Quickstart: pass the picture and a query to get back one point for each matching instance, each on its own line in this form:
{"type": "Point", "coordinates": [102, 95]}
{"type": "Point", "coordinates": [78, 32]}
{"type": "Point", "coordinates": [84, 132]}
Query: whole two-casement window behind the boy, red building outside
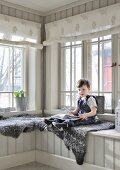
{"type": "Point", "coordinates": [99, 70]}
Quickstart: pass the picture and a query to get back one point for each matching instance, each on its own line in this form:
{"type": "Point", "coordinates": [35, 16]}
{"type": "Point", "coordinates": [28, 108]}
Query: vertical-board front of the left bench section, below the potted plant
{"type": "Point", "coordinates": [25, 142]}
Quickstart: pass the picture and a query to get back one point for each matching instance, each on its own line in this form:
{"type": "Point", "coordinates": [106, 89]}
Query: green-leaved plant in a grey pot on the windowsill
{"type": "Point", "coordinates": [21, 100]}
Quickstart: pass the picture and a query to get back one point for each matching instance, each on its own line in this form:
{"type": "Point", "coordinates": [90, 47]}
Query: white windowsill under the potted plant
{"type": "Point", "coordinates": [13, 113]}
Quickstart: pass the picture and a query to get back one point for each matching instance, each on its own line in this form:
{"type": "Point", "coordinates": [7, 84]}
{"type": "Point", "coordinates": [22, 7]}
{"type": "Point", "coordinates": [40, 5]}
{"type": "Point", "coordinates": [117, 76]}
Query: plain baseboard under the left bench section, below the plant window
{"type": "Point", "coordinates": [17, 159]}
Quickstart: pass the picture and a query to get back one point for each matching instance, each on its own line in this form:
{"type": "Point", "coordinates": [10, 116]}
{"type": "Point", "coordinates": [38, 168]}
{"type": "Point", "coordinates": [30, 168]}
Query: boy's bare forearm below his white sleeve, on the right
{"type": "Point", "coordinates": [89, 114]}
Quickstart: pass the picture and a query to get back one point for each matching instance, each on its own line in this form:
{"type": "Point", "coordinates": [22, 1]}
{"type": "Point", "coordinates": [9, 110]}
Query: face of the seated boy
{"type": "Point", "coordinates": [83, 91]}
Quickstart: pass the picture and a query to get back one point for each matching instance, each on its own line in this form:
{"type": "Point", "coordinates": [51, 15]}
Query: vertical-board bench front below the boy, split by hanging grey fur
{"type": "Point", "coordinates": [102, 151]}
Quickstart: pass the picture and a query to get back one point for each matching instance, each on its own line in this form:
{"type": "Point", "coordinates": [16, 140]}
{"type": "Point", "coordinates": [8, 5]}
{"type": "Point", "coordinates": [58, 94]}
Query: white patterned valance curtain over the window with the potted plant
{"type": "Point", "coordinates": [20, 32]}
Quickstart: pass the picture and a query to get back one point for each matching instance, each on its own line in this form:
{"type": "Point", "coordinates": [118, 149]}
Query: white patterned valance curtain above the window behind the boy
{"type": "Point", "coordinates": [84, 26]}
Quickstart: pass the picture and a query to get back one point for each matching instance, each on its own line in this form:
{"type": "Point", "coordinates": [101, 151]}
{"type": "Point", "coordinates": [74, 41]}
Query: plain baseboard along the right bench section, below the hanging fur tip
{"type": "Point", "coordinates": [63, 163]}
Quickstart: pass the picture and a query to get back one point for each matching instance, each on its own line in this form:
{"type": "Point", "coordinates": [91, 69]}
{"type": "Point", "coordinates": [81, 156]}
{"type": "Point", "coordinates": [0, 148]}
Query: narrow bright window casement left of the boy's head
{"type": "Point", "coordinates": [71, 71]}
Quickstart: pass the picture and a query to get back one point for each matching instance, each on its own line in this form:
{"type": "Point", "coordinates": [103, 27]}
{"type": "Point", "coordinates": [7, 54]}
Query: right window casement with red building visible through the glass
{"type": "Point", "coordinates": [100, 70]}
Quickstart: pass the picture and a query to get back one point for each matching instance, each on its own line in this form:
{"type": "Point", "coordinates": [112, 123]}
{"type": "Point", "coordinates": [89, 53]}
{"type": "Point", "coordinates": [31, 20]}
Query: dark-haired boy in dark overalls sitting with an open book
{"type": "Point", "coordinates": [85, 111]}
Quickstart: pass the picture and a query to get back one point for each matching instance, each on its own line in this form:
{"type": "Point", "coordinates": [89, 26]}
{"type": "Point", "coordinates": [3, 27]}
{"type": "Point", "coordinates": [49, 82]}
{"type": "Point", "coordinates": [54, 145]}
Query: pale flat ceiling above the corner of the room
{"type": "Point", "coordinates": [42, 5]}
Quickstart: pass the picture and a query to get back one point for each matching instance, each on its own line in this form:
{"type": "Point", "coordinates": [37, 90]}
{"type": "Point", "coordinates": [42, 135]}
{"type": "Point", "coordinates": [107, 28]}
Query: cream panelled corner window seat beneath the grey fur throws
{"type": "Point", "coordinates": [45, 147]}
